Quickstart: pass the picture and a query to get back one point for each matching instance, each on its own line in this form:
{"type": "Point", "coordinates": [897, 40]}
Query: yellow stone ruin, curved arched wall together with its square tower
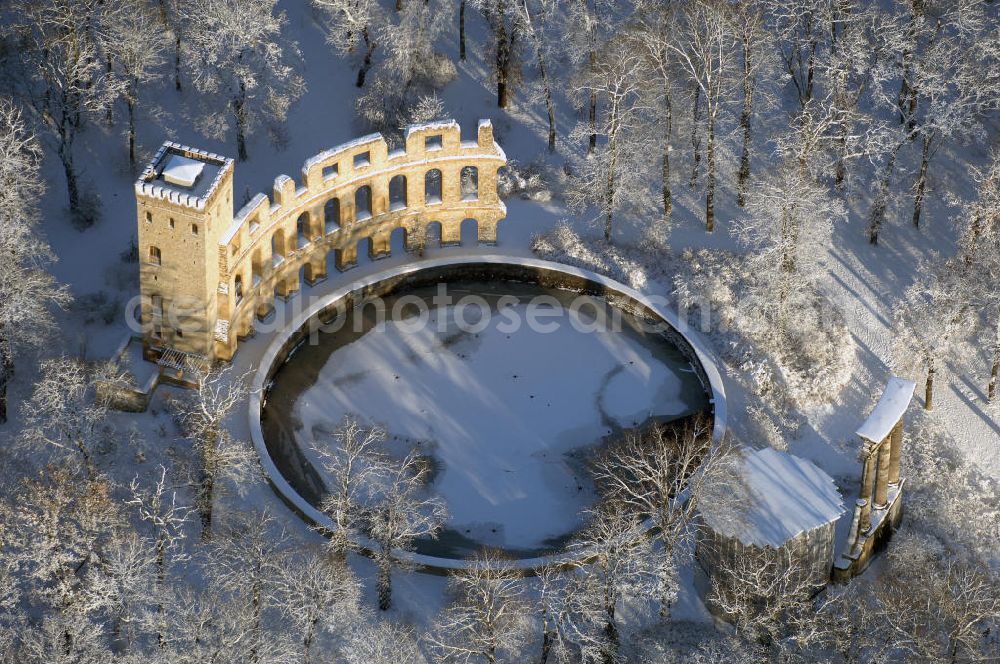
{"type": "Point", "coordinates": [205, 272]}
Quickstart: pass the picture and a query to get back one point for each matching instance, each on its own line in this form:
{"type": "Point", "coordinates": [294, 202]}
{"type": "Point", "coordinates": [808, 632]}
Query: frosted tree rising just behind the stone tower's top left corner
{"type": "Point", "coordinates": [136, 42]}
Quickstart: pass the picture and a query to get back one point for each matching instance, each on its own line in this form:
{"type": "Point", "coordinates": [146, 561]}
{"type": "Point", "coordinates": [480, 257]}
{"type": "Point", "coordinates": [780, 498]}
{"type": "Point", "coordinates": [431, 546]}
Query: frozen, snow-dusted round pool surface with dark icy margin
{"type": "Point", "coordinates": [506, 389]}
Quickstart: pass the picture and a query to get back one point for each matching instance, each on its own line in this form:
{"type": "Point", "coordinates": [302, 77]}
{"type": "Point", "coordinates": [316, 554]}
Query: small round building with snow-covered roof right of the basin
{"type": "Point", "coordinates": [780, 503]}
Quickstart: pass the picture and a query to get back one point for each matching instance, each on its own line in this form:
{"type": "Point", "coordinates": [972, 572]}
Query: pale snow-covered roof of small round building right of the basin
{"type": "Point", "coordinates": [779, 496]}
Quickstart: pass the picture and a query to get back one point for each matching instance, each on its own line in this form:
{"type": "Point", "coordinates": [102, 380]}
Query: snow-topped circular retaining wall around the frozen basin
{"type": "Point", "coordinates": [501, 268]}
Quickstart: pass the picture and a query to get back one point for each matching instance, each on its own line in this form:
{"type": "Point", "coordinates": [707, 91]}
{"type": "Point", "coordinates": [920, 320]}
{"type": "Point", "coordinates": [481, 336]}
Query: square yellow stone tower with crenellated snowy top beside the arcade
{"type": "Point", "coordinates": [184, 202]}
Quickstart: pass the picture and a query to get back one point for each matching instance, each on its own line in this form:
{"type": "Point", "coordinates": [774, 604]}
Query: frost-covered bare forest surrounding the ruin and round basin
{"type": "Point", "coordinates": [126, 545]}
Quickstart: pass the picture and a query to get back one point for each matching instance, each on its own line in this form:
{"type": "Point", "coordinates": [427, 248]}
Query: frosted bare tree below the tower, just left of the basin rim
{"type": "Point", "coordinates": [220, 456]}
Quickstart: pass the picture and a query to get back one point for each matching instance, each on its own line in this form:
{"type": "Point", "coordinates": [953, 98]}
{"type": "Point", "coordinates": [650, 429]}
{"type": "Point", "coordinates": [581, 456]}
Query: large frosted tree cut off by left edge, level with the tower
{"type": "Point", "coordinates": [27, 291]}
